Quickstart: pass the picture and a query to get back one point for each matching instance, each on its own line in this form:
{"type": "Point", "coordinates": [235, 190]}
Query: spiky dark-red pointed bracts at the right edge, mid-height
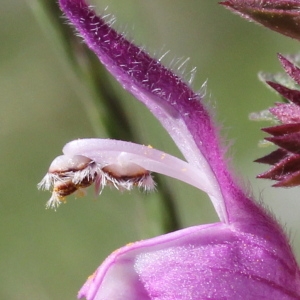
{"type": "Point", "coordinates": [285, 161]}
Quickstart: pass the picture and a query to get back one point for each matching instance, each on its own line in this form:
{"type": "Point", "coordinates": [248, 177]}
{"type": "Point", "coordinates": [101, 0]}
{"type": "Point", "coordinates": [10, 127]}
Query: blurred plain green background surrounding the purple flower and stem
{"type": "Point", "coordinates": [44, 104]}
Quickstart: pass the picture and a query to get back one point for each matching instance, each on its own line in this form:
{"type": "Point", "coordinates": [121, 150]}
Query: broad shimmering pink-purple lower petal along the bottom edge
{"type": "Point", "coordinates": [201, 262]}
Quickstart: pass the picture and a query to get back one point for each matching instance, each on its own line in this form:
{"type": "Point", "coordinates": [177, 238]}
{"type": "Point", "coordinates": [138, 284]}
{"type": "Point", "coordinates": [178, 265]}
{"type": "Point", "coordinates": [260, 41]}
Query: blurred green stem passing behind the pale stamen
{"type": "Point", "coordinates": [103, 105]}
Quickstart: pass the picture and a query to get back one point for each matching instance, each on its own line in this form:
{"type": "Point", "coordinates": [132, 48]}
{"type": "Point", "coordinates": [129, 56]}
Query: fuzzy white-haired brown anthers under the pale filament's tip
{"type": "Point", "coordinates": [69, 174]}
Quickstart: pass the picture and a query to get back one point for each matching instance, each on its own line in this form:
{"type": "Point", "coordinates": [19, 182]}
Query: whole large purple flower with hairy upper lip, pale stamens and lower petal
{"type": "Point", "coordinates": [245, 256]}
